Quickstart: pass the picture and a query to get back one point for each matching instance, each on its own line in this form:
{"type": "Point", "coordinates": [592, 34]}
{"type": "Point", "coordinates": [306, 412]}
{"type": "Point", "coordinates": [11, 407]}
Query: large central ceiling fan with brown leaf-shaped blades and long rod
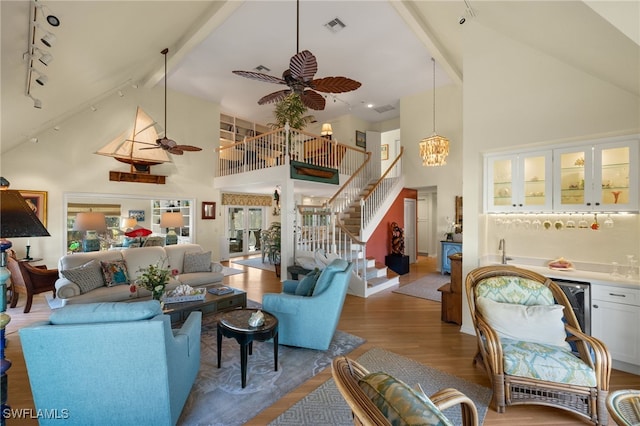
{"type": "Point", "coordinates": [299, 78]}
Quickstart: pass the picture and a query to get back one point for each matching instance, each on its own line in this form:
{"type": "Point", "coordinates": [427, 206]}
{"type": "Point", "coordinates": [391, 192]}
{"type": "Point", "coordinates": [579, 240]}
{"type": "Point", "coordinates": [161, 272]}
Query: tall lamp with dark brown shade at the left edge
{"type": "Point", "coordinates": [17, 219]}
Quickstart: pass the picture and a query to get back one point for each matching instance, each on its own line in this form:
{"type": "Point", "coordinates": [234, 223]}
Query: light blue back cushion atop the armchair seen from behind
{"type": "Point", "coordinates": [86, 313]}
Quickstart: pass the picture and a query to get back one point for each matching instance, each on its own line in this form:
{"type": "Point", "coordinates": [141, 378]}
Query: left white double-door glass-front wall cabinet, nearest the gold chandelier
{"type": "Point", "coordinates": [519, 182]}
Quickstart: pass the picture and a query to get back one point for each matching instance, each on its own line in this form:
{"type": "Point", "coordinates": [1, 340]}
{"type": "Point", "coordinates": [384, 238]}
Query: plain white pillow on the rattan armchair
{"type": "Point", "coordinates": [537, 323]}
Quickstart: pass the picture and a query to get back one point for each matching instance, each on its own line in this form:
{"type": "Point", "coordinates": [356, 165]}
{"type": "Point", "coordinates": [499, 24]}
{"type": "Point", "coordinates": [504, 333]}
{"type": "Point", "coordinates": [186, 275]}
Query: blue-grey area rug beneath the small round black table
{"type": "Point", "coordinates": [217, 397]}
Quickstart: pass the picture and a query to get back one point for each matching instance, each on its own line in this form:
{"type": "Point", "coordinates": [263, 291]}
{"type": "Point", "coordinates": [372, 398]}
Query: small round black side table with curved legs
{"type": "Point", "coordinates": [235, 324]}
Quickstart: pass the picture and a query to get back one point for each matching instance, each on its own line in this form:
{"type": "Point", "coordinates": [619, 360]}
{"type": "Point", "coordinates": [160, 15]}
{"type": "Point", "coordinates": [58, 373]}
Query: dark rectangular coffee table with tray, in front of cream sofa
{"type": "Point", "coordinates": [179, 311]}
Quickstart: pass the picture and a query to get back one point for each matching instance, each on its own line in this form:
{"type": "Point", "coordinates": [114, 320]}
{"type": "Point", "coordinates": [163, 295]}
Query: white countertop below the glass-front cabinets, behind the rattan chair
{"type": "Point", "coordinates": [580, 273]}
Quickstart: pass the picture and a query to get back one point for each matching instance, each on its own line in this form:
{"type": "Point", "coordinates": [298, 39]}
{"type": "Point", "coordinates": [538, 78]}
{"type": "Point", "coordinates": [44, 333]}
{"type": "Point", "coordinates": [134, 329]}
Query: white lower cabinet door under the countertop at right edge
{"type": "Point", "coordinates": [616, 325]}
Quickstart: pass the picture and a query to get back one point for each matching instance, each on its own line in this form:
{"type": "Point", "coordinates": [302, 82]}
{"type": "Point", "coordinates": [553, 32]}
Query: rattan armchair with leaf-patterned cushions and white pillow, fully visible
{"type": "Point", "coordinates": [509, 362]}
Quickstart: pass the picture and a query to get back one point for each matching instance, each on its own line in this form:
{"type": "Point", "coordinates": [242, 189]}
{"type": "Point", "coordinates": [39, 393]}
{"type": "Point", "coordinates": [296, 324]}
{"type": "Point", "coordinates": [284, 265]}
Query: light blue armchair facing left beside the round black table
{"type": "Point", "coordinates": [311, 321]}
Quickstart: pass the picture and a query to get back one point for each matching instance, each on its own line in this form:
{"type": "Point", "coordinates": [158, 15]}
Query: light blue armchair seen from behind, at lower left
{"type": "Point", "coordinates": [111, 363]}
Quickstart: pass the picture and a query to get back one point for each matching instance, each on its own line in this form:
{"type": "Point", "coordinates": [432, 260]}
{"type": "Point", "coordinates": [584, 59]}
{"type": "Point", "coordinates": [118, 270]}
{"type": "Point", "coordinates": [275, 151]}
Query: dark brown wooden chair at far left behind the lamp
{"type": "Point", "coordinates": [29, 280]}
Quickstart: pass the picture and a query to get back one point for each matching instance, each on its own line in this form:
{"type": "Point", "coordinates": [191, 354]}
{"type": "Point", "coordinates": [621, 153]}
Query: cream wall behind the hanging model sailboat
{"type": "Point", "coordinates": [64, 161]}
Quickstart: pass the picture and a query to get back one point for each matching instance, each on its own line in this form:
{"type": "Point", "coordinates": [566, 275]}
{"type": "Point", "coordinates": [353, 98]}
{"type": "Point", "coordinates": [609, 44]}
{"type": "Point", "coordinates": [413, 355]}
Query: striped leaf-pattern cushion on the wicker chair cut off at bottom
{"type": "Point", "coordinates": [399, 403]}
